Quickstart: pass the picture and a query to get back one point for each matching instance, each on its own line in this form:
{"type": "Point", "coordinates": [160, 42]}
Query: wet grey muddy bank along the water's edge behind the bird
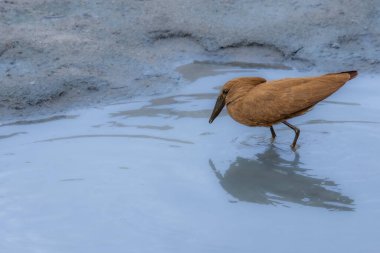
{"type": "Point", "coordinates": [60, 55]}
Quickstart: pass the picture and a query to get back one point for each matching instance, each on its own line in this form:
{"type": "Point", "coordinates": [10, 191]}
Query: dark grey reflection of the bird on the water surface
{"type": "Point", "coordinates": [270, 179]}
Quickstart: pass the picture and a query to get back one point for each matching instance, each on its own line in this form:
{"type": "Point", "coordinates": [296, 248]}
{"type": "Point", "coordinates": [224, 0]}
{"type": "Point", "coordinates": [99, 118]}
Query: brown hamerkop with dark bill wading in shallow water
{"type": "Point", "coordinates": [254, 101]}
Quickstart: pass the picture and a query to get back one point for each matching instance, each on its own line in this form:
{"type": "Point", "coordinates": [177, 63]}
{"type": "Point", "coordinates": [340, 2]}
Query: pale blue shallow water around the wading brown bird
{"type": "Point", "coordinates": [152, 175]}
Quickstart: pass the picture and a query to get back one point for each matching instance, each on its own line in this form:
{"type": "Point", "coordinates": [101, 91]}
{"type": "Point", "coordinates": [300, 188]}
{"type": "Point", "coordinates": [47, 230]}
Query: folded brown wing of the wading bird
{"type": "Point", "coordinates": [281, 99]}
